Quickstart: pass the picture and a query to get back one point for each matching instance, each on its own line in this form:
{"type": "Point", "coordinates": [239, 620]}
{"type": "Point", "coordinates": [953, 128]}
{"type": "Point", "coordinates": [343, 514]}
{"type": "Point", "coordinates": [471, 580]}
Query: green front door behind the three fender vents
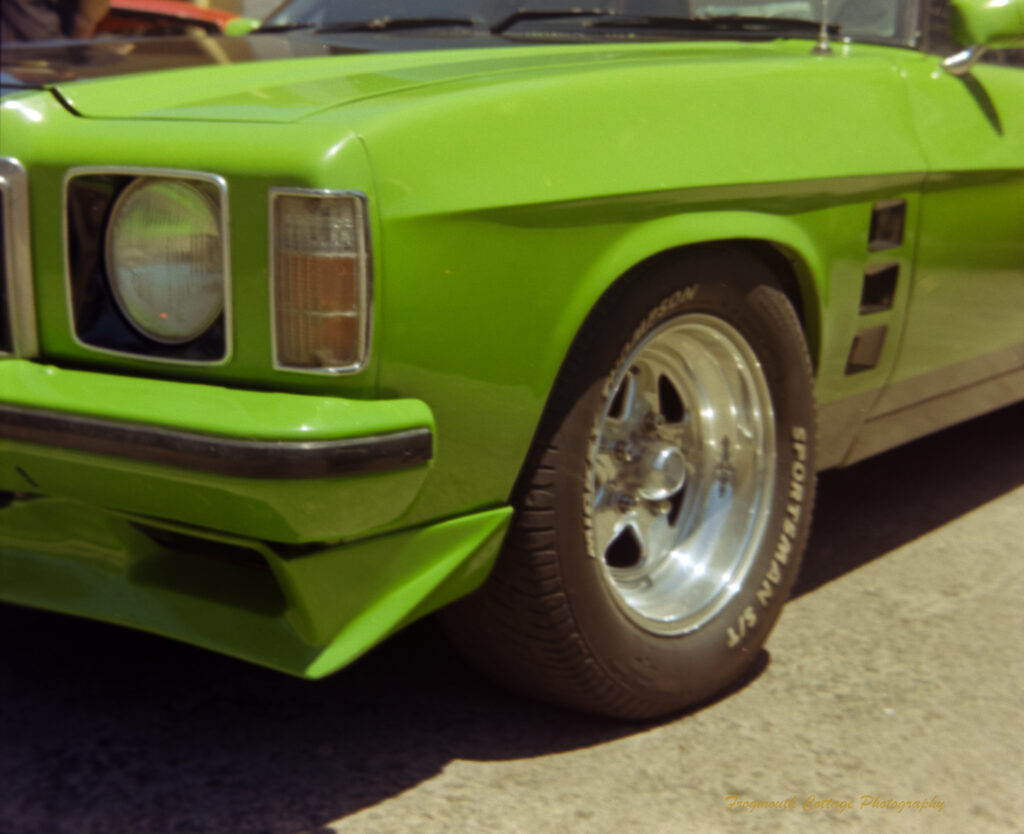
{"type": "Point", "coordinates": [968, 288]}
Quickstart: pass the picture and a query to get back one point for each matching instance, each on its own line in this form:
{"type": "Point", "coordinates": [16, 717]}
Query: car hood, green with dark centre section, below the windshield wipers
{"type": "Point", "coordinates": [276, 80]}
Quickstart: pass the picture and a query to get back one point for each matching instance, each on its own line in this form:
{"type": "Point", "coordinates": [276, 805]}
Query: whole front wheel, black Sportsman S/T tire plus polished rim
{"type": "Point", "coordinates": [662, 516]}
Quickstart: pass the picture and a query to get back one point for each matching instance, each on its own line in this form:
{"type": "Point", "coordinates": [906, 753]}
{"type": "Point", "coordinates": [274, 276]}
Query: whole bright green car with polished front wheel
{"type": "Point", "coordinates": [552, 312]}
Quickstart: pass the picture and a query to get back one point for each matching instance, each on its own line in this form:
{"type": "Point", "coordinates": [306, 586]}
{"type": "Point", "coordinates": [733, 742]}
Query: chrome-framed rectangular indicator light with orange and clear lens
{"type": "Point", "coordinates": [320, 253]}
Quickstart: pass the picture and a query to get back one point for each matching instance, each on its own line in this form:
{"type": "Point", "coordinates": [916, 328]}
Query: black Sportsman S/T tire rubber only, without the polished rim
{"type": "Point", "coordinates": [549, 620]}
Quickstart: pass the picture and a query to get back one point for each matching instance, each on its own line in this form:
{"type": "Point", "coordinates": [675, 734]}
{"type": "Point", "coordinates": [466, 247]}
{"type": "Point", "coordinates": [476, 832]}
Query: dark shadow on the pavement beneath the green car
{"type": "Point", "coordinates": [103, 730]}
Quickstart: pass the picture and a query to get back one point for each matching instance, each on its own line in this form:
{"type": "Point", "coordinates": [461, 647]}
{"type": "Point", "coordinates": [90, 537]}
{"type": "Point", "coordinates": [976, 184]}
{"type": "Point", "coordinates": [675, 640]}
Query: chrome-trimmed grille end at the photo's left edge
{"type": "Point", "coordinates": [16, 271]}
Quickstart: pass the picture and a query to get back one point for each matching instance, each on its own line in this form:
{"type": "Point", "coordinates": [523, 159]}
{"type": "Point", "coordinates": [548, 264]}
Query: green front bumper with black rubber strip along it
{"type": "Point", "coordinates": [279, 468]}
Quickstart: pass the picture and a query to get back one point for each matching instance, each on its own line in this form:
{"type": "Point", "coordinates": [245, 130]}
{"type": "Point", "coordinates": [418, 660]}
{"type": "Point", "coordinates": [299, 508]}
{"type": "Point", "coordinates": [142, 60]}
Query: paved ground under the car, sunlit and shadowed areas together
{"type": "Point", "coordinates": [895, 677]}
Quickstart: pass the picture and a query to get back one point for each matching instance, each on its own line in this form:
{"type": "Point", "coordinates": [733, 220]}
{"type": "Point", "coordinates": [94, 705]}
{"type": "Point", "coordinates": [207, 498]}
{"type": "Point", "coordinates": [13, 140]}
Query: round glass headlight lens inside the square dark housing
{"type": "Point", "coordinates": [164, 259]}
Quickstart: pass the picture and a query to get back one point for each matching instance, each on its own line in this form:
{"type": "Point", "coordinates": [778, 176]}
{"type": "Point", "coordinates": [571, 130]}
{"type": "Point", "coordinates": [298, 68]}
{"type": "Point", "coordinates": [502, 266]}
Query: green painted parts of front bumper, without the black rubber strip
{"type": "Point", "coordinates": [280, 511]}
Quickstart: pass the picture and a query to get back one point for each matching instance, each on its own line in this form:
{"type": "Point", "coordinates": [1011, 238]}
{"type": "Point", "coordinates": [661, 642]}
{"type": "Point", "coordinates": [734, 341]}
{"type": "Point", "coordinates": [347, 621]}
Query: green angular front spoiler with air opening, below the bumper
{"type": "Point", "coordinates": [307, 616]}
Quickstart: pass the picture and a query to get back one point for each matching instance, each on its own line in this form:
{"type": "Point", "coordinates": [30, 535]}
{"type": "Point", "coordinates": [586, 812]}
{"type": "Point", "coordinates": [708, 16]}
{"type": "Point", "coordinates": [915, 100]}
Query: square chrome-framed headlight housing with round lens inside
{"type": "Point", "coordinates": [149, 264]}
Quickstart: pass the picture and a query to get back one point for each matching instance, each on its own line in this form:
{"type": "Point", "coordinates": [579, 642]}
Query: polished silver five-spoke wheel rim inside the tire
{"type": "Point", "coordinates": [682, 474]}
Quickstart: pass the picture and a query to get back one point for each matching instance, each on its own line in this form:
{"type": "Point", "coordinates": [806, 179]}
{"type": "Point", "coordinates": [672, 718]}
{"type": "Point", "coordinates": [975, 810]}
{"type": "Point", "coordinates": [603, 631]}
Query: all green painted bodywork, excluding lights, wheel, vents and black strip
{"type": "Point", "coordinates": [508, 190]}
